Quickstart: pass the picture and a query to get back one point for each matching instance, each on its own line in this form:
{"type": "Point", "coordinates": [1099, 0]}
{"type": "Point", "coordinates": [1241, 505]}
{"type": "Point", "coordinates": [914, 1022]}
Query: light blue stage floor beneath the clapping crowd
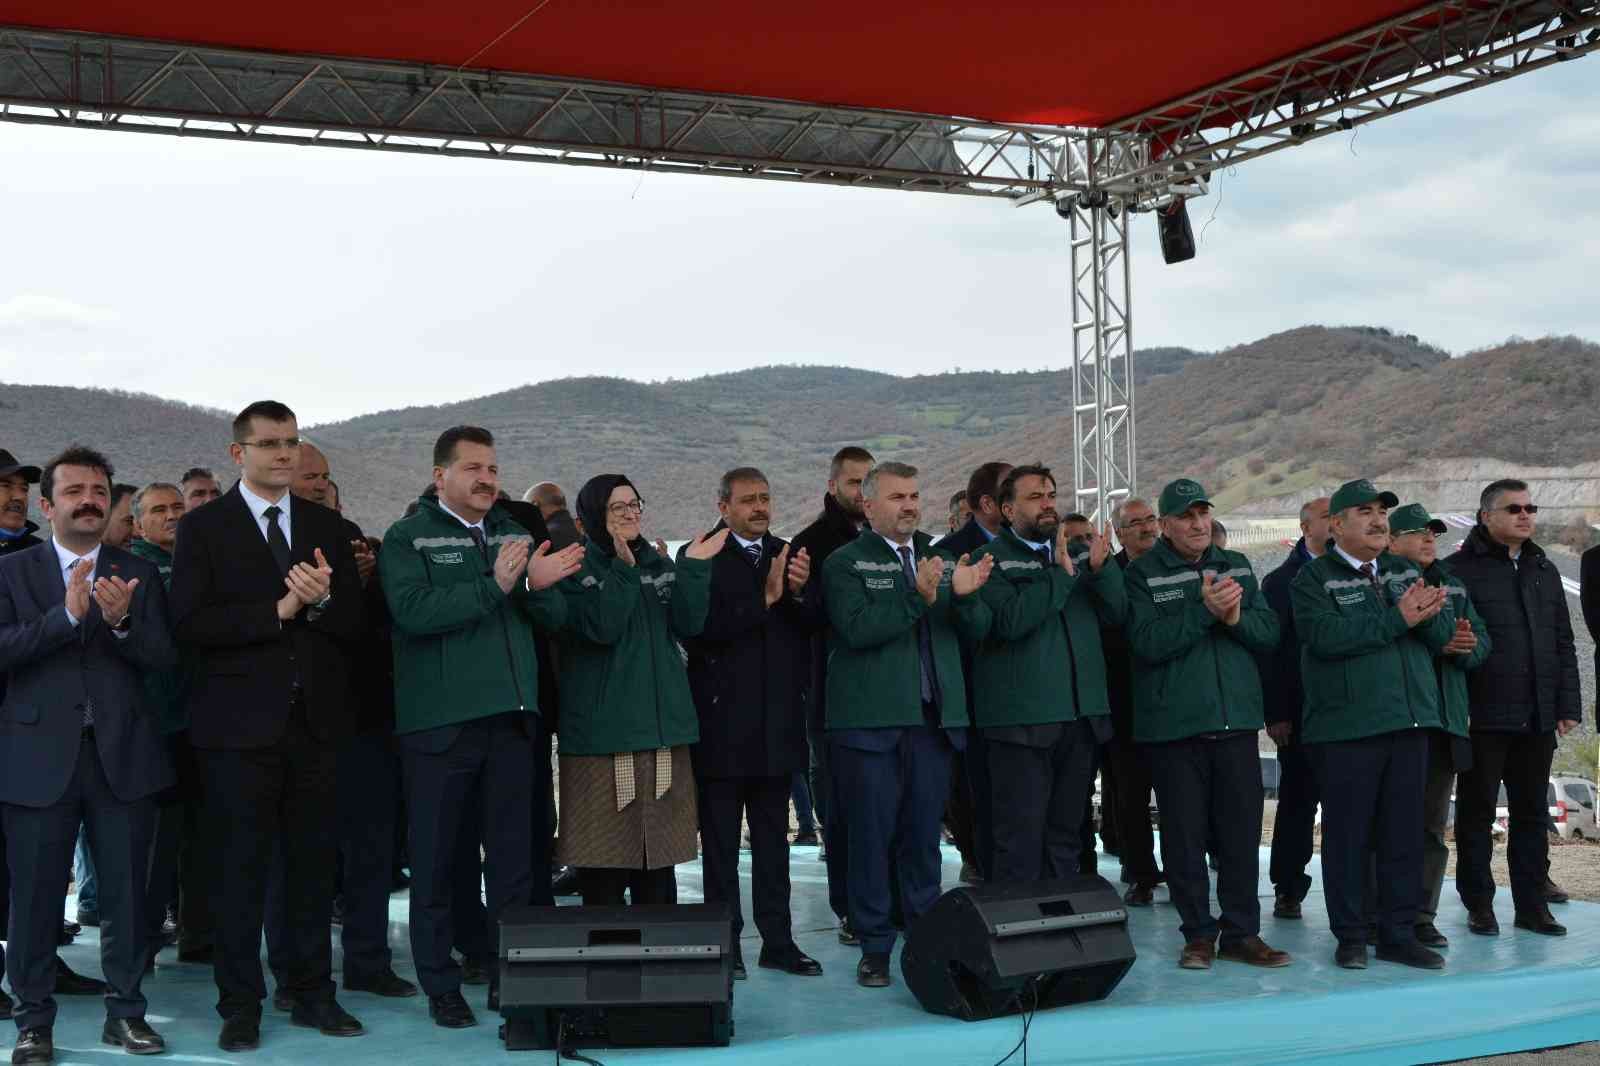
{"type": "Point", "coordinates": [1514, 993]}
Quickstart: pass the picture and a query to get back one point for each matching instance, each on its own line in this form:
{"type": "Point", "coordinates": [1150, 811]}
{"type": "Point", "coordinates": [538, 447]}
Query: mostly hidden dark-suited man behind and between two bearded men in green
{"type": "Point", "coordinates": [970, 809]}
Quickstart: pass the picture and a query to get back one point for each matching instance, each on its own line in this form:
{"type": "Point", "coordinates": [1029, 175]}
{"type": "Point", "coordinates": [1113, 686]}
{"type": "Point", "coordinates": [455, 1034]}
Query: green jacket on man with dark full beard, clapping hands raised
{"type": "Point", "coordinates": [1039, 657]}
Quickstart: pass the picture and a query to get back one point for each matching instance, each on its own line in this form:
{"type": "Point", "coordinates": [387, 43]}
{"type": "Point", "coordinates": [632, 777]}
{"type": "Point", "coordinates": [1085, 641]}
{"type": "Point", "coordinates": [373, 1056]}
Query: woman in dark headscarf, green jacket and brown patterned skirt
{"type": "Point", "coordinates": [626, 787]}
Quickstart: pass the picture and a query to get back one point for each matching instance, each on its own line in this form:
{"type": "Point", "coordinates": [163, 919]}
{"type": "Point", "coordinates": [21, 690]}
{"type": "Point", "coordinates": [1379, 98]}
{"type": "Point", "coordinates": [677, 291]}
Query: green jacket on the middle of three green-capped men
{"type": "Point", "coordinates": [1366, 671]}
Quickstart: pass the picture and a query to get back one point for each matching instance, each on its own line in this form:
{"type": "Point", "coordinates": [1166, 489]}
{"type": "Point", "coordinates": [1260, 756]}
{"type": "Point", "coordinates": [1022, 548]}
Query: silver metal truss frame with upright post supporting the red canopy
{"type": "Point", "coordinates": [1095, 177]}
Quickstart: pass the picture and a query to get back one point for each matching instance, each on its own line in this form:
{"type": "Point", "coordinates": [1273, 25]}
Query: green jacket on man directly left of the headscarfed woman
{"type": "Point", "coordinates": [463, 649]}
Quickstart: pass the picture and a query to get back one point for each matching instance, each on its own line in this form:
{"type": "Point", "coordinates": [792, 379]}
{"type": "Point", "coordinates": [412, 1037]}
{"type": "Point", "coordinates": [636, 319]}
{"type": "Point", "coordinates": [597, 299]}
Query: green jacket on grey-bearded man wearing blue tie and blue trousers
{"type": "Point", "coordinates": [874, 665]}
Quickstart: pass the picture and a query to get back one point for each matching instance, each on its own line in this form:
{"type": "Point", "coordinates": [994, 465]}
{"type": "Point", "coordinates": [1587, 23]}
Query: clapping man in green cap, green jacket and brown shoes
{"type": "Point", "coordinates": [1198, 620]}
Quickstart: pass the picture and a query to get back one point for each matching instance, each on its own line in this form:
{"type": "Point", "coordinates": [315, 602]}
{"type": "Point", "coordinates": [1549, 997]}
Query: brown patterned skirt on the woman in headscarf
{"type": "Point", "coordinates": [647, 835]}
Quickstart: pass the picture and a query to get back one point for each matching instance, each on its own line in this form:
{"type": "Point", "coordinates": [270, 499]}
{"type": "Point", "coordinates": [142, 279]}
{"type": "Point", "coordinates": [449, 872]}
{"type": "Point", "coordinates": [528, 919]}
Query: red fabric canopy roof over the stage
{"type": "Point", "coordinates": [1030, 62]}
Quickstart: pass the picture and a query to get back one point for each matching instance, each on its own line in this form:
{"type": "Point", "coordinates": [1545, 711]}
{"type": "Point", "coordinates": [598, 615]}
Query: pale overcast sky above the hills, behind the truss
{"type": "Point", "coordinates": [346, 283]}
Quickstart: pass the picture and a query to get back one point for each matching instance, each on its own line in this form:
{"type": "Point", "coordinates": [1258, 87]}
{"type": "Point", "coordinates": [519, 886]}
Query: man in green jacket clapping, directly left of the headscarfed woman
{"type": "Point", "coordinates": [466, 588]}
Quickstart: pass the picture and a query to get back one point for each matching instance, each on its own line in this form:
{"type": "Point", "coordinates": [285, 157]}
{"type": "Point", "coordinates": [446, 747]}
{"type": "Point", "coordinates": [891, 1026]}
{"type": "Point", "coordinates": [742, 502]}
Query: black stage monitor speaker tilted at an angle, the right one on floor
{"type": "Point", "coordinates": [996, 950]}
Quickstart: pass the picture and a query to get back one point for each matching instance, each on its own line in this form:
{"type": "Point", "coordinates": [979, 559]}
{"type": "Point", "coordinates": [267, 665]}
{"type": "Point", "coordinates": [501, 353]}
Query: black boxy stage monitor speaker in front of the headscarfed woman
{"type": "Point", "coordinates": [617, 977]}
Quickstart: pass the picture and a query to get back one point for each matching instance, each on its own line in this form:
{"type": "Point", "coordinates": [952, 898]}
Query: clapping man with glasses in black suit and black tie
{"type": "Point", "coordinates": [268, 601]}
